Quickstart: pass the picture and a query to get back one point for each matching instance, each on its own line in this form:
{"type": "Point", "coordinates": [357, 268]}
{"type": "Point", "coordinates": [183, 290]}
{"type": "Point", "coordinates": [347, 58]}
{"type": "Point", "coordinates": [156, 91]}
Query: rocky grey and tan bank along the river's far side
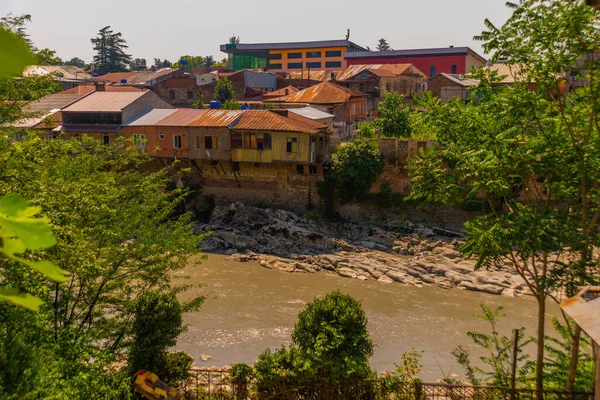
{"type": "Point", "coordinates": [386, 251]}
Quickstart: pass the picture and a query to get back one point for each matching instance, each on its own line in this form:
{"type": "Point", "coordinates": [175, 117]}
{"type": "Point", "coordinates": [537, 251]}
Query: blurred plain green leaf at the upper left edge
{"type": "Point", "coordinates": [14, 54]}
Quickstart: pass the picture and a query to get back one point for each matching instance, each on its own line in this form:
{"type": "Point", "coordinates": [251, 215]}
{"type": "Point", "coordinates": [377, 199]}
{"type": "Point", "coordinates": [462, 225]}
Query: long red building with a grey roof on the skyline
{"type": "Point", "coordinates": [450, 60]}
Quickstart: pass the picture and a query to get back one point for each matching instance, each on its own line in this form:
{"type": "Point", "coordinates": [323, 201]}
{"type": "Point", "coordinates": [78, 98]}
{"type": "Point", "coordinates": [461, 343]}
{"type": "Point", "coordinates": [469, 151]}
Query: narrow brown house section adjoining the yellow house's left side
{"type": "Point", "coordinates": [210, 136]}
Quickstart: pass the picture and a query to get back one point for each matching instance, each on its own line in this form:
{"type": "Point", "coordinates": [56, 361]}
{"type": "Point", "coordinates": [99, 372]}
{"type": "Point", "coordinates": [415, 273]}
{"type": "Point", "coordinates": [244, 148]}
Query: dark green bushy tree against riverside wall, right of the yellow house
{"type": "Point", "coordinates": [354, 168]}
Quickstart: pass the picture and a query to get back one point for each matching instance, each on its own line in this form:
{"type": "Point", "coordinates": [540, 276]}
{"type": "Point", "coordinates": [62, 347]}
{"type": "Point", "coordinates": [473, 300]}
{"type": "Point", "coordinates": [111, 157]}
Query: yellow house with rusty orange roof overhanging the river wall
{"type": "Point", "coordinates": [278, 136]}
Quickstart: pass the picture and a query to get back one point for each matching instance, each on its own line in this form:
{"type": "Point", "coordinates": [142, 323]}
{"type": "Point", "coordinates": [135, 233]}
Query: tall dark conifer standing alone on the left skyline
{"type": "Point", "coordinates": [110, 50]}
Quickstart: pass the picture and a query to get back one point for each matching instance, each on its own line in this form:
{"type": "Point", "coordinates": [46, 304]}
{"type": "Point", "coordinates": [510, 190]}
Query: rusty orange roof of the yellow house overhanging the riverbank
{"type": "Point", "coordinates": [279, 120]}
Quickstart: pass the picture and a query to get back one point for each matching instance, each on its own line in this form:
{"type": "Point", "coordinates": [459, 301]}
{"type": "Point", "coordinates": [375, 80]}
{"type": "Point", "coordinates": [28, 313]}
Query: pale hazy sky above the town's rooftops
{"type": "Point", "coordinates": [169, 29]}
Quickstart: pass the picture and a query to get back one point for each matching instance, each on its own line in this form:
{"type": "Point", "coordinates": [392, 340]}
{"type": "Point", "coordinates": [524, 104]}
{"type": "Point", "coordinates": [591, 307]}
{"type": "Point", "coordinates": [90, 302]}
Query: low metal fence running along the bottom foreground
{"type": "Point", "coordinates": [209, 384]}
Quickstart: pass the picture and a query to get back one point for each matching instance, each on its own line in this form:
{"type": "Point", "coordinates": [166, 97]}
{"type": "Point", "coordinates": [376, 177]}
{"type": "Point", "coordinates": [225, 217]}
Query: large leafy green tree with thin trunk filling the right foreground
{"type": "Point", "coordinates": [527, 151]}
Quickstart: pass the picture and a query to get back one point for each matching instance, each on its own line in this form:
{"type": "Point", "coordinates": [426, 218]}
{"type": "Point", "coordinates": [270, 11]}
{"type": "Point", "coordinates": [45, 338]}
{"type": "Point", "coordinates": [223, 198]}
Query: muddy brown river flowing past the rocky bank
{"type": "Point", "coordinates": [249, 308]}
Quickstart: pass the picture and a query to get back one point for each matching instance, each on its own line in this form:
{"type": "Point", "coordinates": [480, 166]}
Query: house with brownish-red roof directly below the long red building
{"type": "Point", "coordinates": [376, 79]}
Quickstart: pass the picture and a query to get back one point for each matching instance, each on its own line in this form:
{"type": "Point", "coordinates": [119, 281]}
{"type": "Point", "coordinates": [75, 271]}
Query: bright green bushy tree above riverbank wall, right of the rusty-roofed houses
{"type": "Point", "coordinates": [393, 116]}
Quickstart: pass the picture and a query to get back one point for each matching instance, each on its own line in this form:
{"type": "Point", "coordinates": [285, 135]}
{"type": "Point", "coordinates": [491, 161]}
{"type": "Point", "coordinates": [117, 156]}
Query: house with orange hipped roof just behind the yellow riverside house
{"type": "Point", "coordinates": [348, 106]}
